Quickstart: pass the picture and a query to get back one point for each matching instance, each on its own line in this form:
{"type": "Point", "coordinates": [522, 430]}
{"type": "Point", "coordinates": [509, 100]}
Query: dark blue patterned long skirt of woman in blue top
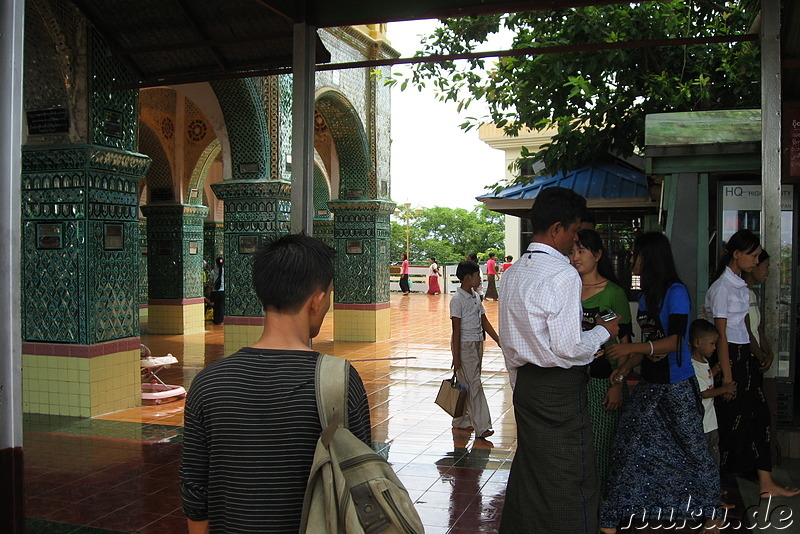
{"type": "Point", "coordinates": [661, 463]}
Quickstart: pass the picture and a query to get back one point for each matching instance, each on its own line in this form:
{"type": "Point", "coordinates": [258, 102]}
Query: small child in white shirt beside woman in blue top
{"type": "Point", "coordinates": [703, 338]}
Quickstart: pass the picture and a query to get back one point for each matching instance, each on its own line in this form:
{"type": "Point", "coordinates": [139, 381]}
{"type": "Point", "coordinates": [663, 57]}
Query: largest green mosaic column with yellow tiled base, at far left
{"type": "Point", "coordinates": [80, 279]}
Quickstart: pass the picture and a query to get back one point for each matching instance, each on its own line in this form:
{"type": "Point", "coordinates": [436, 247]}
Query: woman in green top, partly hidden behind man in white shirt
{"type": "Point", "coordinates": [601, 292]}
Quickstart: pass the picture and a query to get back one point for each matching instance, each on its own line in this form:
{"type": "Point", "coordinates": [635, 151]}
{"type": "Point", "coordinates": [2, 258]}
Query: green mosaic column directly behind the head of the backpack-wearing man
{"type": "Point", "coordinates": [256, 211]}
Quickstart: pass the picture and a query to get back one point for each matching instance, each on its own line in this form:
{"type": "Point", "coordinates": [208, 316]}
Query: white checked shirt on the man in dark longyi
{"type": "Point", "coordinates": [541, 313]}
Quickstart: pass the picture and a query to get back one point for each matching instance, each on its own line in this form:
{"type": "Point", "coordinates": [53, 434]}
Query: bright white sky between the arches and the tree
{"type": "Point", "coordinates": [433, 161]}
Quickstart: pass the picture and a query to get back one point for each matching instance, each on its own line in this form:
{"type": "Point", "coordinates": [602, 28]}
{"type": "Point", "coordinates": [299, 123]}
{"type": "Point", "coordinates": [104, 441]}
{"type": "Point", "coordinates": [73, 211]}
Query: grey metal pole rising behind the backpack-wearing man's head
{"type": "Point", "coordinates": [303, 128]}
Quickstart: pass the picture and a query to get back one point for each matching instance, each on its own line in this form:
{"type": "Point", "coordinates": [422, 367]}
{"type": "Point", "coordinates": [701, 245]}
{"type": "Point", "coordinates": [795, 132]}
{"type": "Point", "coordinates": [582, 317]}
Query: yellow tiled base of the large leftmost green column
{"type": "Point", "coordinates": [81, 387]}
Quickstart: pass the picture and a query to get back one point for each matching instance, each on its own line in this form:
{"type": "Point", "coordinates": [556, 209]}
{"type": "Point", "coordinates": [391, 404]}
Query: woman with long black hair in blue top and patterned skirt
{"type": "Point", "coordinates": [661, 466]}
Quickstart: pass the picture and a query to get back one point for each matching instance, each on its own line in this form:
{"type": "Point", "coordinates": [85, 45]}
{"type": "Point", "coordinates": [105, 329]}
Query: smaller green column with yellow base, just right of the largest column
{"type": "Point", "coordinates": [175, 268]}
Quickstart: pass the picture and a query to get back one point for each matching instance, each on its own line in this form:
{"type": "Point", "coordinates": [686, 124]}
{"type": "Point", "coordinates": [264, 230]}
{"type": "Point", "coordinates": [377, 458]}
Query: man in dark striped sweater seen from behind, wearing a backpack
{"type": "Point", "coordinates": [251, 421]}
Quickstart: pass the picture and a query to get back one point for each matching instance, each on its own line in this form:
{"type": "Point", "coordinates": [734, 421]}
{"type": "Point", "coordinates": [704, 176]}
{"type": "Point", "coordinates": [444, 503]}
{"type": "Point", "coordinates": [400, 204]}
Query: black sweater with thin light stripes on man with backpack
{"type": "Point", "coordinates": [251, 426]}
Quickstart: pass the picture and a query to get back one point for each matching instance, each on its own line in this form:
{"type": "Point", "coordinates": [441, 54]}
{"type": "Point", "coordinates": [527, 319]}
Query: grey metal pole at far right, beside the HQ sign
{"type": "Point", "coordinates": [771, 159]}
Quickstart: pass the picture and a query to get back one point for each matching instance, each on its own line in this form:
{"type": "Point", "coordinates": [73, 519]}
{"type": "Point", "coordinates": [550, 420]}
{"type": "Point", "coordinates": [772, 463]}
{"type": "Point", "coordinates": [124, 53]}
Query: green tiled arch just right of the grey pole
{"type": "Point", "coordinates": [357, 178]}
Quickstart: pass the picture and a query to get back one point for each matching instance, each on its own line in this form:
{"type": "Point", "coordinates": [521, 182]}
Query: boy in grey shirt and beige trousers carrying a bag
{"type": "Point", "coordinates": [469, 324]}
